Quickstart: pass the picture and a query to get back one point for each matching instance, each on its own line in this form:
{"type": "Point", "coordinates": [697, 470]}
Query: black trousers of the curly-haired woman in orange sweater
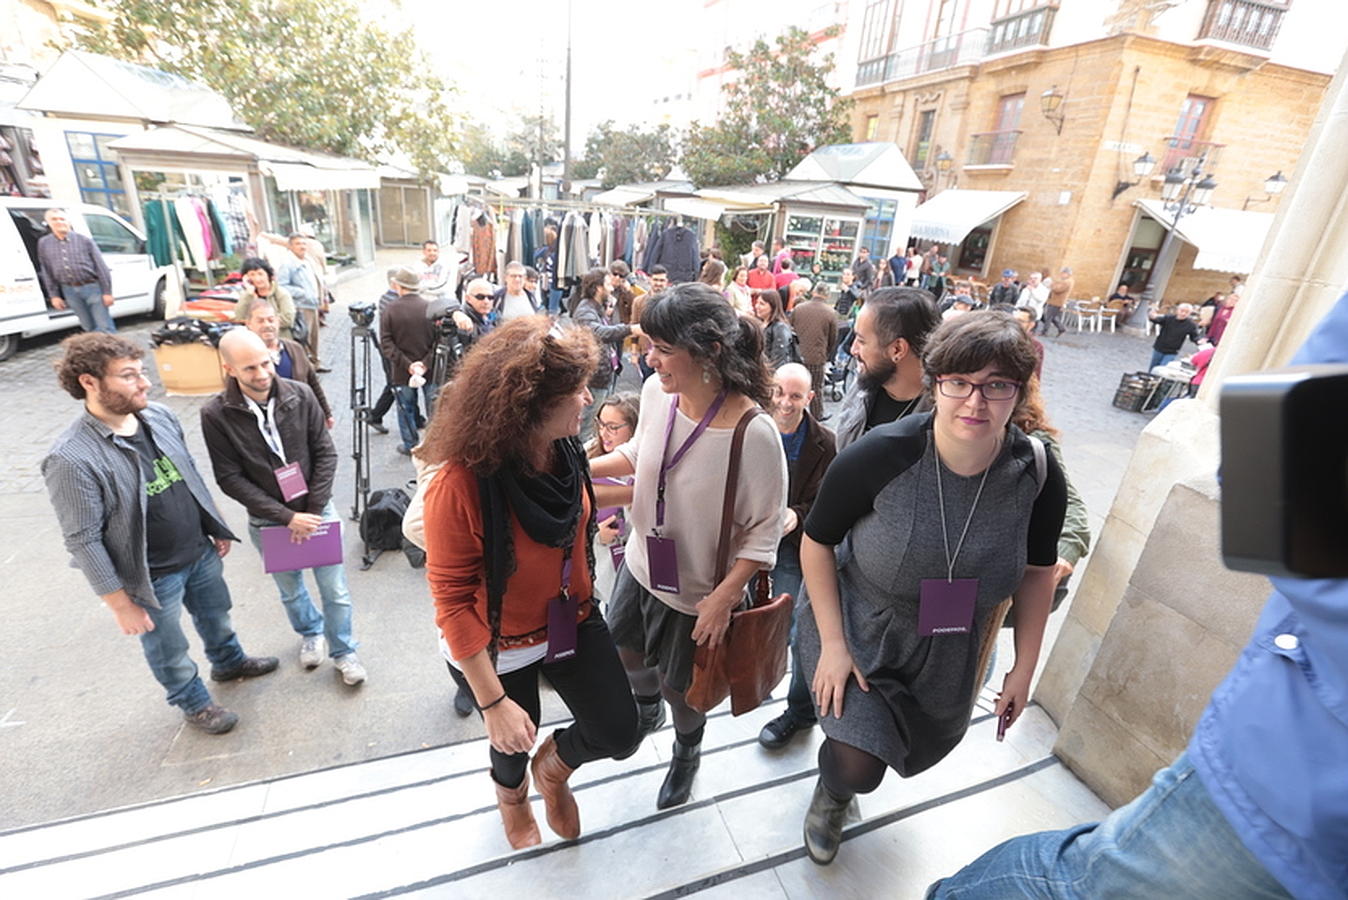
{"type": "Point", "coordinates": [595, 690]}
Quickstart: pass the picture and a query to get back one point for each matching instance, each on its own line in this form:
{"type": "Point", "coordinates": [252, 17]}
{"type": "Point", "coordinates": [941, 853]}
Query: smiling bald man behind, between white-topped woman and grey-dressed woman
{"type": "Point", "coordinates": [809, 449]}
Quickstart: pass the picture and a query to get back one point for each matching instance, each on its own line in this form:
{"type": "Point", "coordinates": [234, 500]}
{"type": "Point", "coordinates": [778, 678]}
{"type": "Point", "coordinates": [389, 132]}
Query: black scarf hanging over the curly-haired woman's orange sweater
{"type": "Point", "coordinates": [548, 506]}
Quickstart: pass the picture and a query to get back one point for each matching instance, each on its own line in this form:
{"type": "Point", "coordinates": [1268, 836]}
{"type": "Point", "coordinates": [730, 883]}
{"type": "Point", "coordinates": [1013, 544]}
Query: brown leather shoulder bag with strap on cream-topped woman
{"type": "Point", "coordinates": [752, 658]}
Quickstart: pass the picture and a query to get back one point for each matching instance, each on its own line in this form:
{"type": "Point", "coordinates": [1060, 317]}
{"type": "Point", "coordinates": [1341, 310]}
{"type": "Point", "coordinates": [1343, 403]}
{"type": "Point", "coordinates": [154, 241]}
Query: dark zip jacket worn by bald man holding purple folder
{"type": "Point", "coordinates": [245, 464]}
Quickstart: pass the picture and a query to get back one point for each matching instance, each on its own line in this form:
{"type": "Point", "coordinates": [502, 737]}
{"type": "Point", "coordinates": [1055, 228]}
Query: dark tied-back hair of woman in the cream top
{"type": "Point", "coordinates": [698, 319]}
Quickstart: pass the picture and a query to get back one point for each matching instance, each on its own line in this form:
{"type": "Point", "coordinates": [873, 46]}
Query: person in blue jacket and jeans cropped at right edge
{"type": "Point", "coordinates": [1258, 804]}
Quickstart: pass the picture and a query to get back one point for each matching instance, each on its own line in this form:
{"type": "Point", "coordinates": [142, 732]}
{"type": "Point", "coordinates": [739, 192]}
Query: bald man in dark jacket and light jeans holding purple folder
{"type": "Point", "coordinates": [270, 451]}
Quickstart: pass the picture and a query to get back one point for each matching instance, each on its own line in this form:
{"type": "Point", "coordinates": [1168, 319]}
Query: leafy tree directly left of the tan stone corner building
{"type": "Point", "coordinates": [778, 108]}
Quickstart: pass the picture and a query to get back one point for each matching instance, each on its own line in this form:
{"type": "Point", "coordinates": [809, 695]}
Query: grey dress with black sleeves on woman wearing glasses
{"type": "Point", "coordinates": [878, 506]}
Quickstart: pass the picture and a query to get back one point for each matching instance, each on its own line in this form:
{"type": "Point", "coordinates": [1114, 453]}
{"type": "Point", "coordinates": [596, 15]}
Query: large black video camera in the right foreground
{"type": "Point", "coordinates": [1285, 472]}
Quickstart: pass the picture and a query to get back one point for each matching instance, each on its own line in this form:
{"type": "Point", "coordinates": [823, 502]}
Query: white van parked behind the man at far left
{"type": "Point", "coordinates": [138, 285]}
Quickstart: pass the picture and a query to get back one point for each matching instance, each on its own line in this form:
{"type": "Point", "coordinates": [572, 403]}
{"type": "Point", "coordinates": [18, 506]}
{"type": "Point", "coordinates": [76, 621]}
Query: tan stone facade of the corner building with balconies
{"type": "Point", "coordinates": [1121, 91]}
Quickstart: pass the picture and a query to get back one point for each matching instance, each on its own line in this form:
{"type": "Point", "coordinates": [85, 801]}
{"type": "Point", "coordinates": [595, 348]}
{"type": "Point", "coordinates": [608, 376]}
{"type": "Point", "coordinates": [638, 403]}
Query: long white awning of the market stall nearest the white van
{"type": "Point", "coordinates": [293, 169]}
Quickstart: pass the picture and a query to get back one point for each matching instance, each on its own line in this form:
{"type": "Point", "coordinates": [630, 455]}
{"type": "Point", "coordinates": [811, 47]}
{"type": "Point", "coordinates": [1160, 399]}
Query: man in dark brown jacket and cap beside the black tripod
{"type": "Point", "coordinates": [408, 340]}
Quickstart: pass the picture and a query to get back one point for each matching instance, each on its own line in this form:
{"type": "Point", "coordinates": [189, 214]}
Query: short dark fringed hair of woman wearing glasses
{"type": "Point", "coordinates": [977, 340]}
